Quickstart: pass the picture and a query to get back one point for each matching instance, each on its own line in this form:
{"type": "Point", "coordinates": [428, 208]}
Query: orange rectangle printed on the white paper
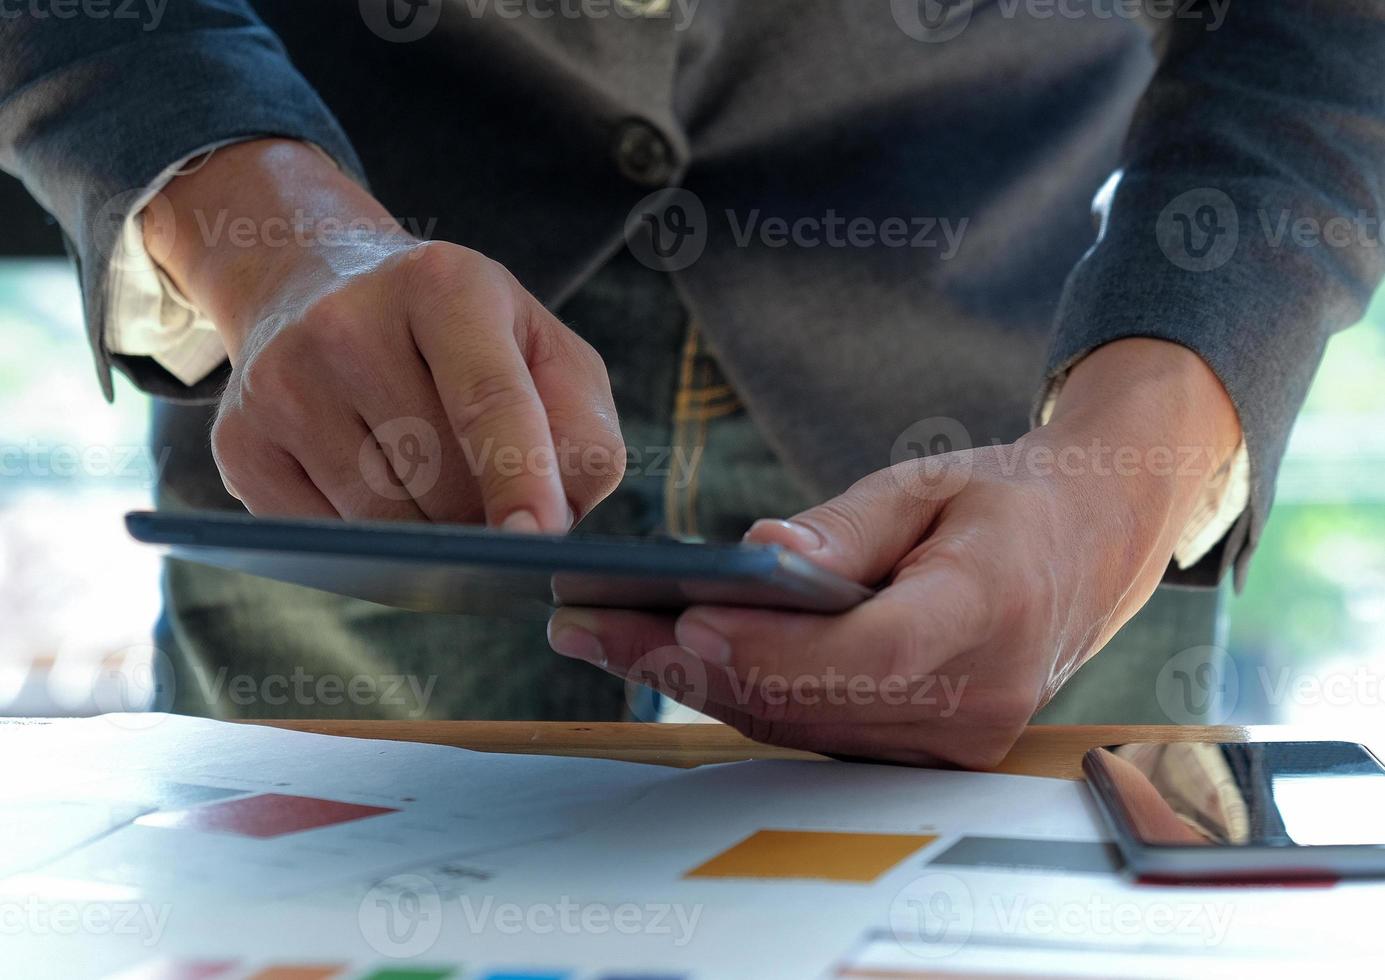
{"type": "Point", "coordinates": [823, 855]}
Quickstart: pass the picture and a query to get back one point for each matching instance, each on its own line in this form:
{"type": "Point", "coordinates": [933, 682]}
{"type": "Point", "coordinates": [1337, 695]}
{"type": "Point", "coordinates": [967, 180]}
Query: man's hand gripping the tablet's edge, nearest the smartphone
{"type": "Point", "coordinates": [1003, 570]}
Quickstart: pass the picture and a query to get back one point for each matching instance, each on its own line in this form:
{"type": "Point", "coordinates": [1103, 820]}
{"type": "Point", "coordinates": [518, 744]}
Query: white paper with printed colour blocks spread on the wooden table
{"type": "Point", "coordinates": [580, 869]}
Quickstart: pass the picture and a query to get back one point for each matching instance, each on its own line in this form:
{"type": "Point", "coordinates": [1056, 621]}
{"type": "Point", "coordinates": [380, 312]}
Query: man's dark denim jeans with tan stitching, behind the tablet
{"type": "Point", "coordinates": [242, 647]}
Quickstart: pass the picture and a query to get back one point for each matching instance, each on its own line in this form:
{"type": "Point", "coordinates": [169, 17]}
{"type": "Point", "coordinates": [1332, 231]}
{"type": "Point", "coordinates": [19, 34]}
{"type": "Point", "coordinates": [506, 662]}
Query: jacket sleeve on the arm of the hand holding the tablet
{"type": "Point", "coordinates": [1246, 221]}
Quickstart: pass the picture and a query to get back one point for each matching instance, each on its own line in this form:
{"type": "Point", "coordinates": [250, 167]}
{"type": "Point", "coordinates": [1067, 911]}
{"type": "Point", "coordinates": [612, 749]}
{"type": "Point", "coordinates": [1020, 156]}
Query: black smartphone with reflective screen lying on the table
{"type": "Point", "coordinates": [1243, 812]}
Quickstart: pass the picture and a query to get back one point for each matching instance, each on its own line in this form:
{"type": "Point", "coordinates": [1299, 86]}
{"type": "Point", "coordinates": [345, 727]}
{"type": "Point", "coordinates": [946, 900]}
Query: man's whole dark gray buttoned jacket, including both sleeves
{"type": "Point", "coordinates": [533, 139]}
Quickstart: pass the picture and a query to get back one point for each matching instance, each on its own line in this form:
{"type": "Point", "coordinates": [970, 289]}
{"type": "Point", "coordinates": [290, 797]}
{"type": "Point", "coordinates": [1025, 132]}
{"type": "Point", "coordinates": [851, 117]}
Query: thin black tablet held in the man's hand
{"type": "Point", "coordinates": [456, 570]}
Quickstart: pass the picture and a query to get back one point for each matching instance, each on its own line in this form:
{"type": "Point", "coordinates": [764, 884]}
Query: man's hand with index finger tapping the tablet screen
{"type": "Point", "coordinates": [379, 377]}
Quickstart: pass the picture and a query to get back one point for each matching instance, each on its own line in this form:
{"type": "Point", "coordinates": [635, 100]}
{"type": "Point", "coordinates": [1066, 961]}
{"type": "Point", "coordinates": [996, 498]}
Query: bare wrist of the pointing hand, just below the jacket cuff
{"type": "Point", "coordinates": [233, 232]}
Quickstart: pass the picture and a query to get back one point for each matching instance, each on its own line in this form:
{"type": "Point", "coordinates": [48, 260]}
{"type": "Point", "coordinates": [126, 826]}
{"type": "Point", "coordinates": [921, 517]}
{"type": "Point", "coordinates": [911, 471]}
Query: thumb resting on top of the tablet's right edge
{"type": "Point", "coordinates": [866, 532]}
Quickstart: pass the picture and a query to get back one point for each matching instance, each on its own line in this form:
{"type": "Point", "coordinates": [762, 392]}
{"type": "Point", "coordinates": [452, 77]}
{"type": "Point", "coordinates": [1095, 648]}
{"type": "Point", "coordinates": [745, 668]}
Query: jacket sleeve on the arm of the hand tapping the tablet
{"type": "Point", "coordinates": [92, 111]}
